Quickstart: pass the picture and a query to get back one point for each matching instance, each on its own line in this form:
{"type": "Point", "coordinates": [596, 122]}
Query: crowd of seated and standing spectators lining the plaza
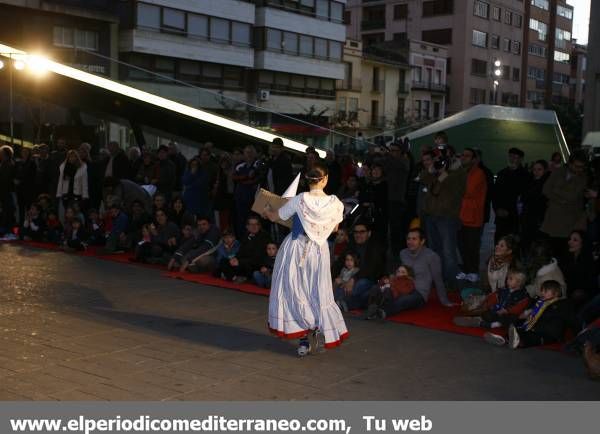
{"type": "Point", "coordinates": [420, 217]}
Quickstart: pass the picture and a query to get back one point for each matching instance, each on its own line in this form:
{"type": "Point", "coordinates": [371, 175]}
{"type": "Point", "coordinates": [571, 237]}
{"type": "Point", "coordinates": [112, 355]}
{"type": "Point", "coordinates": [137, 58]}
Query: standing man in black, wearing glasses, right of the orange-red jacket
{"type": "Point", "coordinates": [508, 187]}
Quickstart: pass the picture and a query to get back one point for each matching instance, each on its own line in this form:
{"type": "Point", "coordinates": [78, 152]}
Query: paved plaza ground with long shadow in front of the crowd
{"type": "Point", "coordinates": [78, 328]}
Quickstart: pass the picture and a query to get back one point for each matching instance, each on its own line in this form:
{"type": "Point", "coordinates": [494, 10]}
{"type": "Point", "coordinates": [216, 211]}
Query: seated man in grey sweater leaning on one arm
{"type": "Point", "coordinates": [428, 272]}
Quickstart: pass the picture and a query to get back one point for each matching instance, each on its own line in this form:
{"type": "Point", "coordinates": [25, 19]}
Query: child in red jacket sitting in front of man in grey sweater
{"type": "Point", "coordinates": [389, 289]}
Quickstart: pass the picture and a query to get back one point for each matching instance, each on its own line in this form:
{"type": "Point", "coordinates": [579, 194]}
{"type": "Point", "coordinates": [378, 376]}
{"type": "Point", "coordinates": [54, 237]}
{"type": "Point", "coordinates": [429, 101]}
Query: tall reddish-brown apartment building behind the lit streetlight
{"type": "Point", "coordinates": [476, 34]}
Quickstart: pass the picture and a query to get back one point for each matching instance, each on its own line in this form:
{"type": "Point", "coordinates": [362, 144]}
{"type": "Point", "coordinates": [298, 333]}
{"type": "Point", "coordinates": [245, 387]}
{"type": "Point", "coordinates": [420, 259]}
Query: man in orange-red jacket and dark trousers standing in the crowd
{"type": "Point", "coordinates": [471, 215]}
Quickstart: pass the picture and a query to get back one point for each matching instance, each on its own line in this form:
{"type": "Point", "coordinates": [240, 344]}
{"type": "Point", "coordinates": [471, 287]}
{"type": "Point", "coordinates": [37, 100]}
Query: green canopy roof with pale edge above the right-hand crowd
{"type": "Point", "coordinates": [496, 129]}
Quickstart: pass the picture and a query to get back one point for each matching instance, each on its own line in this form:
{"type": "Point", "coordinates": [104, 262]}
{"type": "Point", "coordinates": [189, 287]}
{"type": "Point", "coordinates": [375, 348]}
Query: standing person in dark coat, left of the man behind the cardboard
{"type": "Point", "coordinates": [246, 178]}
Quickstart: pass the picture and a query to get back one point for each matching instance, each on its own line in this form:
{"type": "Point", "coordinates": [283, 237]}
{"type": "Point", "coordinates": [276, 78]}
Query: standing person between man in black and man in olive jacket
{"type": "Point", "coordinates": [534, 204]}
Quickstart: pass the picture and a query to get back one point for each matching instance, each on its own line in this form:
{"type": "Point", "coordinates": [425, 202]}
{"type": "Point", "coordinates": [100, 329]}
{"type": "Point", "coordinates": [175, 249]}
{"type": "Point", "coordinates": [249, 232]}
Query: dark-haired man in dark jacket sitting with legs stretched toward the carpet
{"type": "Point", "coordinates": [198, 254]}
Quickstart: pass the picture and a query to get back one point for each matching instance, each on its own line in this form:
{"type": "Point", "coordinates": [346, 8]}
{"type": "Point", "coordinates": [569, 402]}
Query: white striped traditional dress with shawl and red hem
{"type": "Point", "coordinates": [301, 297]}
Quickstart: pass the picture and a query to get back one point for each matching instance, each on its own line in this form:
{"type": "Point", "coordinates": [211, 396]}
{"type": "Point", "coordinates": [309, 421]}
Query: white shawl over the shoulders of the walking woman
{"type": "Point", "coordinates": [318, 214]}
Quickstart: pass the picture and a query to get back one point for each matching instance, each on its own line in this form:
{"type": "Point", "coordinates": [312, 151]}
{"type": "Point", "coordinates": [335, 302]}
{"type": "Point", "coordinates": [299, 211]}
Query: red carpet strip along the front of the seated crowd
{"type": "Point", "coordinates": [432, 316]}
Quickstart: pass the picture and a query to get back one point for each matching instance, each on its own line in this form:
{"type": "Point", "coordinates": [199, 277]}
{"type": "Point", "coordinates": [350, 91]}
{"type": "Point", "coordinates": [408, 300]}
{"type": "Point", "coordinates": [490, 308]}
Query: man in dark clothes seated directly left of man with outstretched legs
{"type": "Point", "coordinates": [164, 236]}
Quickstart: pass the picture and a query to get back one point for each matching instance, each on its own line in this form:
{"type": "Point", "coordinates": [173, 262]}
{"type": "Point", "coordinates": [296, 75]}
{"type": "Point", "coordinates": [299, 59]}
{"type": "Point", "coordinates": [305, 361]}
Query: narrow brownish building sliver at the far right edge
{"type": "Point", "coordinates": [591, 115]}
